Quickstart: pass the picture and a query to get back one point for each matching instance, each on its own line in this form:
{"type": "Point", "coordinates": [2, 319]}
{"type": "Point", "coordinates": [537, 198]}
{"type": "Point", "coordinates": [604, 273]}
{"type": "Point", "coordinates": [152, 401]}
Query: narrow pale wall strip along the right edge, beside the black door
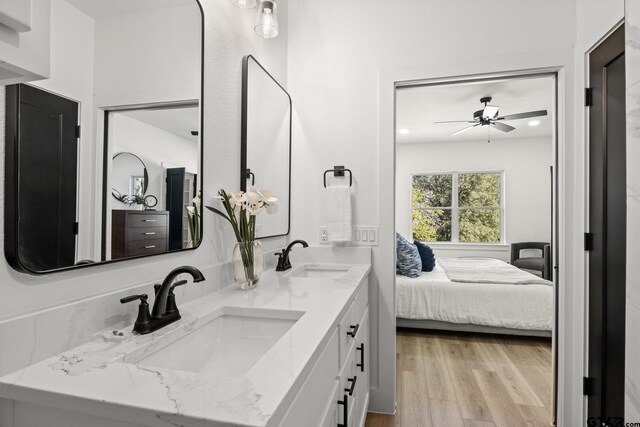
{"type": "Point", "coordinates": [632, 61]}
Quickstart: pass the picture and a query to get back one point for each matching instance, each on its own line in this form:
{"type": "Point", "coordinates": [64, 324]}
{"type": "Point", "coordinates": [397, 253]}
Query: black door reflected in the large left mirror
{"type": "Point", "coordinates": [41, 128]}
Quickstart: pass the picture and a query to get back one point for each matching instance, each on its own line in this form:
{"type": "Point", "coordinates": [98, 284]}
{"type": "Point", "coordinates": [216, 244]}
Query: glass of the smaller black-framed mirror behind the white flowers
{"type": "Point", "coordinates": [266, 143]}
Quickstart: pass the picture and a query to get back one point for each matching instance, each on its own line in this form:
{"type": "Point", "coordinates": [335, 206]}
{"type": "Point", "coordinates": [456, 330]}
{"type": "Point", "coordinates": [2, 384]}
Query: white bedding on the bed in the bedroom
{"type": "Point", "coordinates": [433, 296]}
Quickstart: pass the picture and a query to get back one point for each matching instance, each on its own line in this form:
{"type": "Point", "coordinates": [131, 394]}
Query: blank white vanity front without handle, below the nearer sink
{"type": "Point", "coordinates": [317, 390]}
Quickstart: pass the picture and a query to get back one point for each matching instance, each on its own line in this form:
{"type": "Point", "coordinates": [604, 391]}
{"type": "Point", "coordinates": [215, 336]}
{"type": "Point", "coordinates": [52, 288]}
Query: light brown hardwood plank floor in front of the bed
{"type": "Point", "coordinates": [470, 380]}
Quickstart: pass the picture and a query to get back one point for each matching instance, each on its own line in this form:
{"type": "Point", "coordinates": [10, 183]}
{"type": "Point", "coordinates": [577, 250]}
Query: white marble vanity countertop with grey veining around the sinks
{"type": "Point", "coordinates": [95, 378]}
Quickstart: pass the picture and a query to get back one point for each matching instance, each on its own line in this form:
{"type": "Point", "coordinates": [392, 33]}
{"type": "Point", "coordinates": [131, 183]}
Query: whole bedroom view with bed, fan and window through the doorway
{"type": "Point", "coordinates": [480, 198]}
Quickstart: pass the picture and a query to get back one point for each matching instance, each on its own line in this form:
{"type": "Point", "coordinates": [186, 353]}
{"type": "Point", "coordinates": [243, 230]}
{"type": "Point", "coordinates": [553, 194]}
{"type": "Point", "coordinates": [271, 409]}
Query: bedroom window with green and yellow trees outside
{"type": "Point", "coordinates": [457, 207]}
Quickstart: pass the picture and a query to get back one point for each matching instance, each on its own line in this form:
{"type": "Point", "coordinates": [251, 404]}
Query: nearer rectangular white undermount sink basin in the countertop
{"type": "Point", "coordinates": [229, 344]}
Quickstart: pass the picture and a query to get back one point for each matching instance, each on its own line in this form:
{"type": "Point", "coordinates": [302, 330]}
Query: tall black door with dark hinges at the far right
{"type": "Point", "coordinates": [607, 228]}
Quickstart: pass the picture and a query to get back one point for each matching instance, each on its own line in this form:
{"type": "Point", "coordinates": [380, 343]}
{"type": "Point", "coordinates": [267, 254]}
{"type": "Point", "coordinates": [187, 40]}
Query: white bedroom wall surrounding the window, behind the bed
{"type": "Point", "coordinates": [527, 191]}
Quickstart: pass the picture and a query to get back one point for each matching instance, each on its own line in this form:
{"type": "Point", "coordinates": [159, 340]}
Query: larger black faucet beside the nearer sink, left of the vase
{"type": "Point", "coordinates": [165, 310]}
